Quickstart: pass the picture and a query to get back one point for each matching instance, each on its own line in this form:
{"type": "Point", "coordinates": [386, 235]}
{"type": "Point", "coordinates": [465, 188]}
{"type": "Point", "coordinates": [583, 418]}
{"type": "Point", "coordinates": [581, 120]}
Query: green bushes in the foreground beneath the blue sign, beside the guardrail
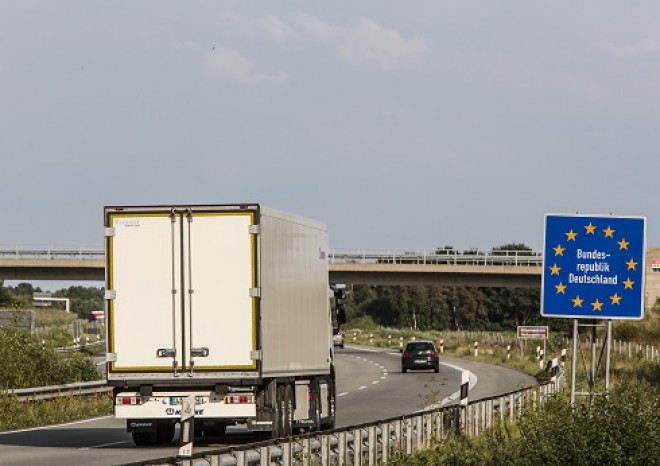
{"type": "Point", "coordinates": [622, 429]}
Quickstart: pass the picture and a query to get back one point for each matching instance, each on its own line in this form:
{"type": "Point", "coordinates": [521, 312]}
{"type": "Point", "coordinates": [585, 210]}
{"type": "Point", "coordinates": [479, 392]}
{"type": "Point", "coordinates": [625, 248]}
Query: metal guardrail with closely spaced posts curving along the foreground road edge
{"type": "Point", "coordinates": [377, 442]}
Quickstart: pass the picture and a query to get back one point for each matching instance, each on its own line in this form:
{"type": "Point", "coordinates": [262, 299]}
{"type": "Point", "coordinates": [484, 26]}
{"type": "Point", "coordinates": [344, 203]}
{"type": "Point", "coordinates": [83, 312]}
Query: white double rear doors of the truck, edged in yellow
{"type": "Point", "coordinates": [181, 287]}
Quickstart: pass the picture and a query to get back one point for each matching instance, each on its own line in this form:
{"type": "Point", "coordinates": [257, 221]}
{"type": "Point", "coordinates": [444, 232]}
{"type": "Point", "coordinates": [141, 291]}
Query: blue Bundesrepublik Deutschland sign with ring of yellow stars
{"type": "Point", "coordinates": [593, 267]}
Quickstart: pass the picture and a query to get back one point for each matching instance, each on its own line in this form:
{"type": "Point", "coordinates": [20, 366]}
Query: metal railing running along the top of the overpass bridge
{"type": "Point", "coordinates": [336, 256]}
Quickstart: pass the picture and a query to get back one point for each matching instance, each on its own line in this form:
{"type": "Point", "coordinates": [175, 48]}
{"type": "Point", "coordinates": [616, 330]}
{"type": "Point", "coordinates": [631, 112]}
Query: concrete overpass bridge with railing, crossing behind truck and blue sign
{"type": "Point", "coordinates": [350, 266]}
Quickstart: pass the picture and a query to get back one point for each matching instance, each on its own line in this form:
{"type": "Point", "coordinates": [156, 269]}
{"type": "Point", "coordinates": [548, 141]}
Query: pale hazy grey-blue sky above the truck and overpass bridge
{"type": "Point", "coordinates": [401, 124]}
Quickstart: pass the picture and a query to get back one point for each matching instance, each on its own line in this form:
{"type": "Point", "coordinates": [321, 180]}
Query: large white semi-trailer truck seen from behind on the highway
{"type": "Point", "coordinates": [224, 303]}
